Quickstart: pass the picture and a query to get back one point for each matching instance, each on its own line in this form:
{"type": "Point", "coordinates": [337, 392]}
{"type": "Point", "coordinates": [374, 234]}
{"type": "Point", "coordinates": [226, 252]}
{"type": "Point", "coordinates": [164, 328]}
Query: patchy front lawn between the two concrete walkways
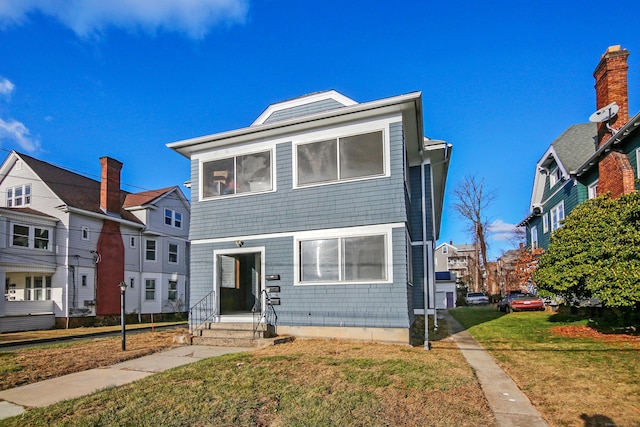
{"type": "Point", "coordinates": [303, 383]}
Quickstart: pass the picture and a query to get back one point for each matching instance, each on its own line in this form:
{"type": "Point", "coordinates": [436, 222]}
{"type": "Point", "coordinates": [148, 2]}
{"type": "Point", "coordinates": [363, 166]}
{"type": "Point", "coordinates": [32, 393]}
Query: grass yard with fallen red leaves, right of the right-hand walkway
{"type": "Point", "coordinates": [572, 374]}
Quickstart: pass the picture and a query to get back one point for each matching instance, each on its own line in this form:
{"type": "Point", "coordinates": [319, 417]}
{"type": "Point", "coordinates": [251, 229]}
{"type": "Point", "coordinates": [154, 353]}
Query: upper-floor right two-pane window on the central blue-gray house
{"type": "Point", "coordinates": [341, 159]}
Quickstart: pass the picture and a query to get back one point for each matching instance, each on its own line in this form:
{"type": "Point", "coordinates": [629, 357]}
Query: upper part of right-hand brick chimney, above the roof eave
{"type": "Point", "coordinates": [611, 86]}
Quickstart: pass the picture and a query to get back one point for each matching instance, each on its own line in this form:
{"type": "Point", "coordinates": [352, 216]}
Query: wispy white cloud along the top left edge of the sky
{"type": "Point", "coordinates": [91, 17]}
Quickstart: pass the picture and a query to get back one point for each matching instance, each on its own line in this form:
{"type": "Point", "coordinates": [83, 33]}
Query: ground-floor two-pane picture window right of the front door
{"type": "Point", "coordinates": [346, 259]}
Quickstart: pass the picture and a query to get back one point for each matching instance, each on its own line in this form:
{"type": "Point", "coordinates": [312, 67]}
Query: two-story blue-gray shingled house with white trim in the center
{"type": "Point", "coordinates": [320, 218]}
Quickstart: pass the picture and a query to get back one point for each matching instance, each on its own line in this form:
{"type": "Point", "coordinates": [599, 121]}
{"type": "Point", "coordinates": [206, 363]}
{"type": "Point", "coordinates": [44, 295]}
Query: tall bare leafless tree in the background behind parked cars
{"type": "Point", "coordinates": [473, 200]}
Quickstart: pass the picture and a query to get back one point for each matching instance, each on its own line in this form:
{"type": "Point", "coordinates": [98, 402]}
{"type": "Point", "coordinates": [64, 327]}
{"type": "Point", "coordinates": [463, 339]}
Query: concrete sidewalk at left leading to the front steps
{"type": "Point", "coordinates": [44, 393]}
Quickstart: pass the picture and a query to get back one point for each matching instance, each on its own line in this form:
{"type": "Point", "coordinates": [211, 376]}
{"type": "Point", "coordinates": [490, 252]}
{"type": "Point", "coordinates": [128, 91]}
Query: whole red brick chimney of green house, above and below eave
{"type": "Point", "coordinates": [615, 171]}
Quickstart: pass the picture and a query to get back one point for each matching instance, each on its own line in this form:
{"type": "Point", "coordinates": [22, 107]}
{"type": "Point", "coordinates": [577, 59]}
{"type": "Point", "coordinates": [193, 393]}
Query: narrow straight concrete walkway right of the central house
{"type": "Point", "coordinates": [508, 403]}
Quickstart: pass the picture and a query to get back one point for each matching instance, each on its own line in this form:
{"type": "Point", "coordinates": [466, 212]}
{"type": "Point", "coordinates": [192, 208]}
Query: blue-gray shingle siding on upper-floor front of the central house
{"type": "Point", "coordinates": [343, 204]}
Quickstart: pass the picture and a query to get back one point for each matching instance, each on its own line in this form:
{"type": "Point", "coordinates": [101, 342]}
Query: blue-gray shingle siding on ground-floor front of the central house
{"type": "Point", "coordinates": [358, 305]}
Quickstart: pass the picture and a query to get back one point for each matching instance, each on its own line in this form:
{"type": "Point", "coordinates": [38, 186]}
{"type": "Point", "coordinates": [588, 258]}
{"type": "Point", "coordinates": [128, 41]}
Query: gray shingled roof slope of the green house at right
{"type": "Point", "coordinates": [576, 145]}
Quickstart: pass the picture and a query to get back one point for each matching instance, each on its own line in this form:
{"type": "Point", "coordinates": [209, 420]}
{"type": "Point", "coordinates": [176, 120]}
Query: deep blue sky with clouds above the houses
{"type": "Point", "coordinates": [500, 80]}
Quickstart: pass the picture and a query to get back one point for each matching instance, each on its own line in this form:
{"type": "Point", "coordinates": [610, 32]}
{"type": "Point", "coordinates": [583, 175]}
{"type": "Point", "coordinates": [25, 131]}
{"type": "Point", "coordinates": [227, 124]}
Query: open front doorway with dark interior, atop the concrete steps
{"type": "Point", "coordinates": [239, 284]}
